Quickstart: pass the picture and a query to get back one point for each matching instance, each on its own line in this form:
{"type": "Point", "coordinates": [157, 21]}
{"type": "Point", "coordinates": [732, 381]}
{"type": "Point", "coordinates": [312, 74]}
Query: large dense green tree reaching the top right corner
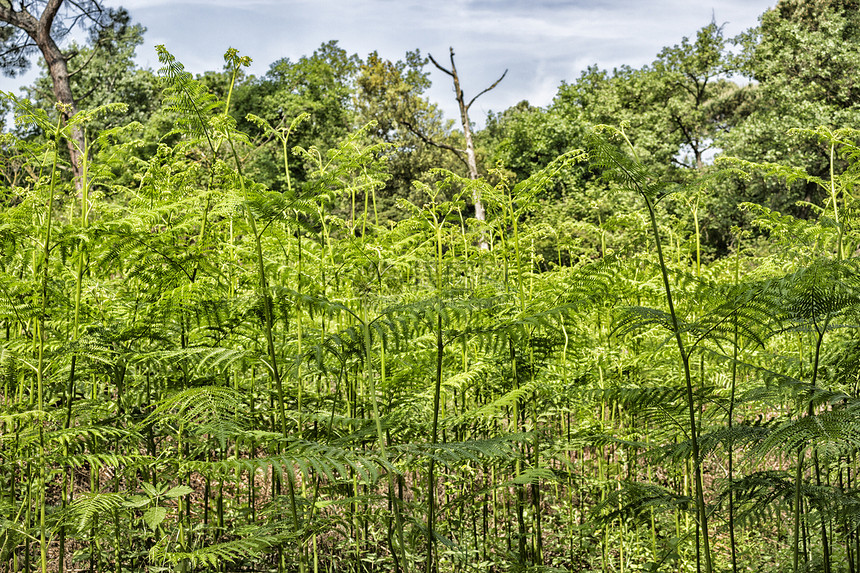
{"type": "Point", "coordinates": [803, 58]}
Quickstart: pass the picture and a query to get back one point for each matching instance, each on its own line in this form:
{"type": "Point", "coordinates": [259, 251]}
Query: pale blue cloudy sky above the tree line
{"type": "Point", "coordinates": [540, 42]}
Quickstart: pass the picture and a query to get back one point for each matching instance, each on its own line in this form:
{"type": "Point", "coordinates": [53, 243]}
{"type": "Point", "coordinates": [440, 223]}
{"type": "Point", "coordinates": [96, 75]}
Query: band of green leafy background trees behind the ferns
{"type": "Point", "coordinates": [707, 95]}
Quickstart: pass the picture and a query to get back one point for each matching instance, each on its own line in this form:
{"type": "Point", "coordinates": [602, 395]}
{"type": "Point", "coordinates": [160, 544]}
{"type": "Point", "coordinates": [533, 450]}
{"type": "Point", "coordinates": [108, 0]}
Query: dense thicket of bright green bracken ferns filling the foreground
{"type": "Point", "coordinates": [202, 374]}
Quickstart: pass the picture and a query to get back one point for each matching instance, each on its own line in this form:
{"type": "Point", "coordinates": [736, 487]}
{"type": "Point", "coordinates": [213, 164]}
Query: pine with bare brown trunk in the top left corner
{"type": "Point", "coordinates": [38, 25]}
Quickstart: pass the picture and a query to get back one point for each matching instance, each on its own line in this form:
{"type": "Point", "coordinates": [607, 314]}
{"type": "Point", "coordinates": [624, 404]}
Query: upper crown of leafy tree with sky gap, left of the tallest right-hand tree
{"type": "Point", "coordinates": [679, 105]}
